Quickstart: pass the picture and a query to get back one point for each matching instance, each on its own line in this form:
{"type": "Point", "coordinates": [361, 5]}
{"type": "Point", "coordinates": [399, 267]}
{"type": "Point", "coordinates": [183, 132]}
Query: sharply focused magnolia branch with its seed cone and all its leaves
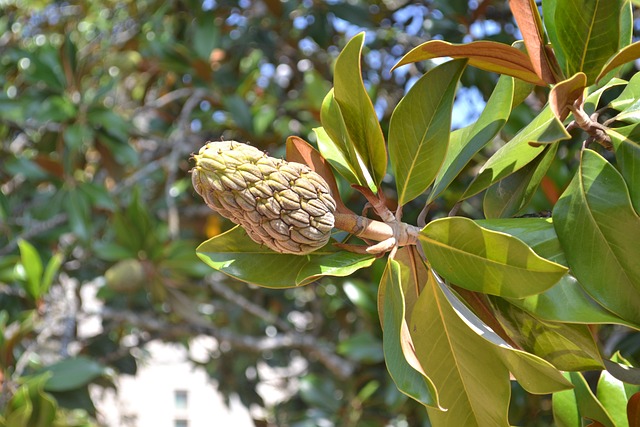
{"type": "Point", "coordinates": [467, 305]}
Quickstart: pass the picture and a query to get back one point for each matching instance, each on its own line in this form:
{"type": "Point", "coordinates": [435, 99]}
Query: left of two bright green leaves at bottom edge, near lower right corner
{"type": "Point", "coordinates": [571, 406]}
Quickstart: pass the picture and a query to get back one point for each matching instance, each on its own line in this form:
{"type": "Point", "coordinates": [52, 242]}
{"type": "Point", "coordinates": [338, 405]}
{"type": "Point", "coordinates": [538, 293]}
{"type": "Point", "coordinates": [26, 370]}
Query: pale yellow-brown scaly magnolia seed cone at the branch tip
{"type": "Point", "coordinates": [283, 205]}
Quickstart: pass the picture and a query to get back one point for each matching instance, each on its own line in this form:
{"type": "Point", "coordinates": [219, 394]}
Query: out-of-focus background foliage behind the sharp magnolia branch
{"type": "Point", "coordinates": [101, 104]}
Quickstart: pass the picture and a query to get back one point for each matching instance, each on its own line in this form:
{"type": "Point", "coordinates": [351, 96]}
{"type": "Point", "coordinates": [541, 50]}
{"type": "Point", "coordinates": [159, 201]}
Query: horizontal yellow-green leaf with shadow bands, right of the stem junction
{"type": "Point", "coordinates": [486, 261]}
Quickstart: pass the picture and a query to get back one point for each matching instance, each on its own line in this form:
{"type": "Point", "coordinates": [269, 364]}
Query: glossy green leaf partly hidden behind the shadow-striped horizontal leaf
{"type": "Point", "coordinates": [566, 301]}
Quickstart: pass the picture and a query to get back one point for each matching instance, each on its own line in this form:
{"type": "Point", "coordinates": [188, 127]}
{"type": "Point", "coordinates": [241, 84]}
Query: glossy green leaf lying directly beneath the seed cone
{"type": "Point", "coordinates": [235, 254]}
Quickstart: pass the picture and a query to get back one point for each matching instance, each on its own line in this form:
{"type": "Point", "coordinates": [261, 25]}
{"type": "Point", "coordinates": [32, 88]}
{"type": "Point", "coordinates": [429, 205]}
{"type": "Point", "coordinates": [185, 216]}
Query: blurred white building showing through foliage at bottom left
{"type": "Point", "coordinates": [168, 391]}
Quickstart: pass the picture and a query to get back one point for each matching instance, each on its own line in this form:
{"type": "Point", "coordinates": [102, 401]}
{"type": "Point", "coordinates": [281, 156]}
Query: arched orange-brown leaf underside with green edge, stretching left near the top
{"type": "Point", "coordinates": [486, 55]}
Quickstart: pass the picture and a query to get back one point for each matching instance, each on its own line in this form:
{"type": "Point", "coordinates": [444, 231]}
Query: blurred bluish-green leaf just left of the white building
{"type": "Point", "coordinates": [73, 373]}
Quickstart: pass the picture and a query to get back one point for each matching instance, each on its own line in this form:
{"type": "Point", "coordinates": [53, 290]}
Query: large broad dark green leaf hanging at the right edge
{"type": "Point", "coordinates": [599, 232]}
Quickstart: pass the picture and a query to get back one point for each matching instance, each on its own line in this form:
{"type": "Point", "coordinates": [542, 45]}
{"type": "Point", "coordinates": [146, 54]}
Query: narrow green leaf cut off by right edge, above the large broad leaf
{"type": "Point", "coordinates": [626, 143]}
